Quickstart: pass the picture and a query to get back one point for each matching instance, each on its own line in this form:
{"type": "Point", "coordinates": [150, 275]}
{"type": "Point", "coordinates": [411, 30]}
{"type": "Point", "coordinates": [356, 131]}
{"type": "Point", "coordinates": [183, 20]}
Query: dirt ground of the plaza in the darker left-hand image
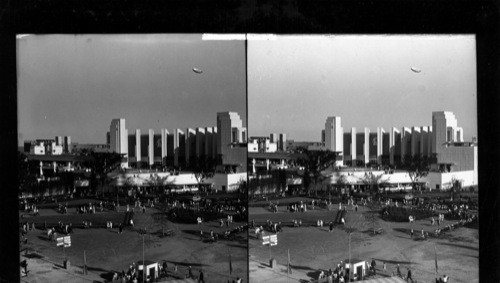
{"type": "Point", "coordinates": [107, 251]}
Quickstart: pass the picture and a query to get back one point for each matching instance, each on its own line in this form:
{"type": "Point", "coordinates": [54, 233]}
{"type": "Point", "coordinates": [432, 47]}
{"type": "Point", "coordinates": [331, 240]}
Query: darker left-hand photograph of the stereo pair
{"type": "Point", "coordinates": [132, 158]}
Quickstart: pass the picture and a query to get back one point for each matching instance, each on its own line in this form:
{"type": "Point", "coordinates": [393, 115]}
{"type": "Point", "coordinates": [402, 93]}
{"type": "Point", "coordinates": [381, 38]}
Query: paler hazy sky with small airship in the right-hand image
{"type": "Point", "coordinates": [296, 82]}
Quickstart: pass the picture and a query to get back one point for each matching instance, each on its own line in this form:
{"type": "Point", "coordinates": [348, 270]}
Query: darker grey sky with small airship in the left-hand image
{"type": "Point", "coordinates": [75, 84]}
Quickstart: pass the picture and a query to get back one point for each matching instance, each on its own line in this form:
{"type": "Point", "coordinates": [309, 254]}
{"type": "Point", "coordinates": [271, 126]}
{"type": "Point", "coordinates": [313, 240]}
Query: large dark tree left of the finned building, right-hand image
{"type": "Point", "coordinates": [314, 162]}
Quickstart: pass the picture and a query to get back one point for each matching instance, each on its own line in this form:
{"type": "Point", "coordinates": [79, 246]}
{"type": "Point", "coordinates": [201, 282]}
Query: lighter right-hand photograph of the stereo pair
{"type": "Point", "coordinates": [362, 158]}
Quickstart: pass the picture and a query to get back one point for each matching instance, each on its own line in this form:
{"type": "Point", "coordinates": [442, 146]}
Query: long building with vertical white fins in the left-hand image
{"type": "Point", "coordinates": [226, 143]}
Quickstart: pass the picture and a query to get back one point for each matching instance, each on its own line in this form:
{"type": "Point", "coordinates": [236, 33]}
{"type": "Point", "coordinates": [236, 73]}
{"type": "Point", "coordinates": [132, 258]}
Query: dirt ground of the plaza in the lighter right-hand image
{"type": "Point", "coordinates": [313, 249]}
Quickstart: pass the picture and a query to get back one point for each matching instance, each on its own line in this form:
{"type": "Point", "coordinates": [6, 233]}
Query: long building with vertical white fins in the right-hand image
{"type": "Point", "coordinates": [381, 147]}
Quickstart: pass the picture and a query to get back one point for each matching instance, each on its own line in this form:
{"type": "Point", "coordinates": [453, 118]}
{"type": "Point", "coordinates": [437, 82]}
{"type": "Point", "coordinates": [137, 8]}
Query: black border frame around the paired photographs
{"type": "Point", "coordinates": [260, 16]}
